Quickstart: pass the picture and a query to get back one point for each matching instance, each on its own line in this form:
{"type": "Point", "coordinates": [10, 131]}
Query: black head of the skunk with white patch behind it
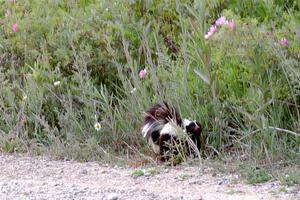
{"type": "Point", "coordinates": [194, 129]}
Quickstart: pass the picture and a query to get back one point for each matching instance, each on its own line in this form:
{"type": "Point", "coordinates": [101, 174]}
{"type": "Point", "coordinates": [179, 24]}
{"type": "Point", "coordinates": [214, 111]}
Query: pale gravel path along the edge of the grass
{"type": "Point", "coordinates": [24, 177]}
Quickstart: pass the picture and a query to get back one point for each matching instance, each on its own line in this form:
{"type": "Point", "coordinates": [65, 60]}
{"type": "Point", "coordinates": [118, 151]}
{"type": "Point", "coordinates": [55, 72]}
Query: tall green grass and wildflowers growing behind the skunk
{"type": "Point", "coordinates": [67, 65]}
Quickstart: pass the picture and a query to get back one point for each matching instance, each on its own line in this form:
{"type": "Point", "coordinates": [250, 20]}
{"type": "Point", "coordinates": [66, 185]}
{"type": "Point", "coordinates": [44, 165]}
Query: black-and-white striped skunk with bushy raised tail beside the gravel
{"type": "Point", "coordinates": [159, 128]}
